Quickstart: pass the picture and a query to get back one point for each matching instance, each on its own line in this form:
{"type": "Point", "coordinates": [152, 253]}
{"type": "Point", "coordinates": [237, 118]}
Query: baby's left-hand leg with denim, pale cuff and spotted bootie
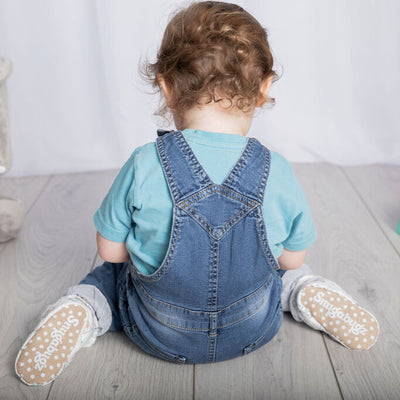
{"type": "Point", "coordinates": [85, 312]}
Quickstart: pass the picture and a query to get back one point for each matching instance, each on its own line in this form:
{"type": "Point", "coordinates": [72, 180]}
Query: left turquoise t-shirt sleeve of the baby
{"type": "Point", "coordinates": [113, 219]}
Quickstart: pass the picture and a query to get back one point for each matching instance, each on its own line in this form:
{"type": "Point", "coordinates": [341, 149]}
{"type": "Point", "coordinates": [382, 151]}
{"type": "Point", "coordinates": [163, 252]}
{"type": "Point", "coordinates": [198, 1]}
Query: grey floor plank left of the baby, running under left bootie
{"type": "Point", "coordinates": [54, 250]}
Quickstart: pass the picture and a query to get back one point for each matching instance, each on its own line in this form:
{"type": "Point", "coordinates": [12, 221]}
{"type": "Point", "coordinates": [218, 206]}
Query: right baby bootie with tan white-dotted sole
{"type": "Point", "coordinates": [323, 305]}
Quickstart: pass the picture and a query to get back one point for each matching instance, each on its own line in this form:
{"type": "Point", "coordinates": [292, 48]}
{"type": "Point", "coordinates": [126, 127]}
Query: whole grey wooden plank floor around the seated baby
{"type": "Point", "coordinates": [356, 211]}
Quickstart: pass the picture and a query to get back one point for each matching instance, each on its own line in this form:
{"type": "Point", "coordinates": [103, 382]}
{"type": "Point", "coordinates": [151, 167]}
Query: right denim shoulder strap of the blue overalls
{"type": "Point", "coordinates": [249, 175]}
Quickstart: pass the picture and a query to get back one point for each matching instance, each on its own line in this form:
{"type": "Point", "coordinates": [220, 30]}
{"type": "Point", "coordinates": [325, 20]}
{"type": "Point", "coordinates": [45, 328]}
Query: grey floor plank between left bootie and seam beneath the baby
{"type": "Point", "coordinates": [116, 368]}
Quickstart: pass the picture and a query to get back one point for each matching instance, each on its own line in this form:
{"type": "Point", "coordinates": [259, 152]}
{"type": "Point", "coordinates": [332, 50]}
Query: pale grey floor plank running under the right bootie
{"type": "Point", "coordinates": [353, 251]}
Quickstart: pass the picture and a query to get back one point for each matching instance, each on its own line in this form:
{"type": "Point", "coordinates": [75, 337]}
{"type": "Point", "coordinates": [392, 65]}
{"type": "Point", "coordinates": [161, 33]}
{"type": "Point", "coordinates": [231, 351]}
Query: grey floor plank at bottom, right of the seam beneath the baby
{"type": "Point", "coordinates": [294, 365]}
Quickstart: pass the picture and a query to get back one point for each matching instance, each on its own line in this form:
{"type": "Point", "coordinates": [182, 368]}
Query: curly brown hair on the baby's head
{"type": "Point", "coordinates": [212, 50]}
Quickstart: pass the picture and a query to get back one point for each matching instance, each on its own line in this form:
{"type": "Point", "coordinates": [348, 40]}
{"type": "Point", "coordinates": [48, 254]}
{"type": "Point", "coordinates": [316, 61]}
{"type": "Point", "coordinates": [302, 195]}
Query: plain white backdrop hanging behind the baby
{"type": "Point", "coordinates": [77, 102]}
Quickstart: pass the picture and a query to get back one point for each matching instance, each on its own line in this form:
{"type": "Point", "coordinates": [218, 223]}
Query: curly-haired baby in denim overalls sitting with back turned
{"type": "Point", "coordinates": [204, 231]}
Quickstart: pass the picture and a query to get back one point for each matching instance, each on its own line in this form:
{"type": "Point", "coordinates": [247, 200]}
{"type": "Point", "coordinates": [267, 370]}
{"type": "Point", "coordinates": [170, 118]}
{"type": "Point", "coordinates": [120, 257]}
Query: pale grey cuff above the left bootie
{"type": "Point", "coordinates": [99, 303]}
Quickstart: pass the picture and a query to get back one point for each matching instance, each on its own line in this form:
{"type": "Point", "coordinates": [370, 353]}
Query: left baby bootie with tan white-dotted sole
{"type": "Point", "coordinates": [65, 327]}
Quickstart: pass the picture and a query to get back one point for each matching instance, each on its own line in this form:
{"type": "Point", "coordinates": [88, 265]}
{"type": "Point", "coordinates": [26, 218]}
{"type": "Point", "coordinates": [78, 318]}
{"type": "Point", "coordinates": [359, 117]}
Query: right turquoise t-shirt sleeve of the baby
{"type": "Point", "coordinates": [302, 233]}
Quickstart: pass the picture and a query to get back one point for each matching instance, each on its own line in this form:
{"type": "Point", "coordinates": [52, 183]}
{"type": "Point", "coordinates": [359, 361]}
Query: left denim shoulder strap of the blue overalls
{"type": "Point", "coordinates": [183, 172]}
